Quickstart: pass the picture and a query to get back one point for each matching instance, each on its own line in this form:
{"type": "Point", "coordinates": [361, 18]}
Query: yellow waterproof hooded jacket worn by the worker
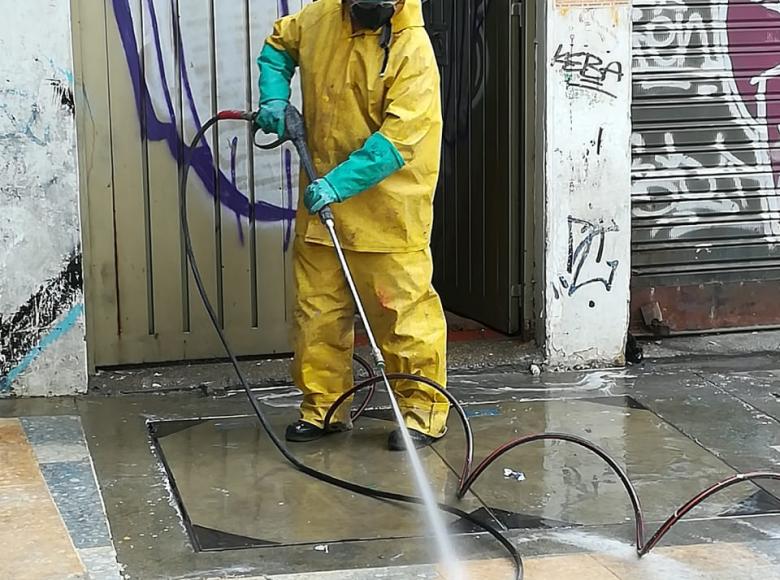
{"type": "Point", "coordinates": [346, 99]}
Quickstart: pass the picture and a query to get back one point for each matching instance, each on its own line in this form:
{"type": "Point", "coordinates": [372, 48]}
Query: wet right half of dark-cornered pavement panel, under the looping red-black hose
{"type": "Point", "coordinates": [569, 484]}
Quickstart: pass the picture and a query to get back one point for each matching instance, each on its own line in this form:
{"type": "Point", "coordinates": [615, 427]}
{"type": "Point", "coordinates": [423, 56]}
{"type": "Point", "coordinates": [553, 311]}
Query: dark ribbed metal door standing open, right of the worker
{"type": "Point", "coordinates": [477, 211]}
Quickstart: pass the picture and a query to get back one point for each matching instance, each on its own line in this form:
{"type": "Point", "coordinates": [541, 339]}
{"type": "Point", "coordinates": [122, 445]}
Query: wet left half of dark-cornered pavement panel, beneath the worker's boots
{"type": "Point", "coordinates": [230, 481]}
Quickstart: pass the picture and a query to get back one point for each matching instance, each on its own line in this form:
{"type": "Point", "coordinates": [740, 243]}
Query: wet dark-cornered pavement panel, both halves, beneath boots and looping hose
{"type": "Point", "coordinates": [229, 479]}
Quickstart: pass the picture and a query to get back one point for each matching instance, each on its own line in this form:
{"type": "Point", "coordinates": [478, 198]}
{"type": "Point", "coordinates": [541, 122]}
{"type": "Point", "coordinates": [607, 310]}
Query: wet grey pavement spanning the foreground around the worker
{"type": "Point", "coordinates": [233, 508]}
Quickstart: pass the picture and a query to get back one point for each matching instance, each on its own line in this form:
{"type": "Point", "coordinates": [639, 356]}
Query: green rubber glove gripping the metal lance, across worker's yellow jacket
{"type": "Point", "coordinates": [366, 167]}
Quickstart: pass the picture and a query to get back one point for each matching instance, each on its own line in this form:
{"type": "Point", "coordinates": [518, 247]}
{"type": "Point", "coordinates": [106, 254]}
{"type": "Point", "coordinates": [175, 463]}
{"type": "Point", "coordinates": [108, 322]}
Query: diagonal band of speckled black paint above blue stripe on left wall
{"type": "Point", "coordinates": [20, 332]}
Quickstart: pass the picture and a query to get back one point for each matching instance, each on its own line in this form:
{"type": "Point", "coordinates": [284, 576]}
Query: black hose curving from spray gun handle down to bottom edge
{"type": "Point", "coordinates": [293, 118]}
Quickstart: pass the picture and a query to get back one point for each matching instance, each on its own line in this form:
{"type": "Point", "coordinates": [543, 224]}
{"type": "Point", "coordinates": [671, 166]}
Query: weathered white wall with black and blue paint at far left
{"type": "Point", "coordinates": [41, 302]}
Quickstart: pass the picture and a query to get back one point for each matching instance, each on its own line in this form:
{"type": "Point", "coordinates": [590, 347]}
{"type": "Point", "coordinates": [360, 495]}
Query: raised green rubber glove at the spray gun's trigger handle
{"type": "Point", "coordinates": [276, 71]}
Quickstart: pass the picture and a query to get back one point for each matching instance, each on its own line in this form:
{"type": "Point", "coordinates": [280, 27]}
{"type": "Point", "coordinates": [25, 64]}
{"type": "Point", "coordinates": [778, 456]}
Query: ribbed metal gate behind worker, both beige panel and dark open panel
{"type": "Point", "coordinates": [153, 70]}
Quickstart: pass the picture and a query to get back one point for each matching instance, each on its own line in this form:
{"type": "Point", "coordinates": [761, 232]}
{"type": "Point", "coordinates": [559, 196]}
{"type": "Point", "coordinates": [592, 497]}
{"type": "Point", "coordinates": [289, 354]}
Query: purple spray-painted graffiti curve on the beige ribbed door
{"type": "Point", "coordinates": [155, 129]}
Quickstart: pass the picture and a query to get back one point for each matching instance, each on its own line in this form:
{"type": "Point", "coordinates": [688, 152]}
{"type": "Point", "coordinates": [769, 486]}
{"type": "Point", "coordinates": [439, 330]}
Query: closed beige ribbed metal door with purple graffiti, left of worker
{"type": "Point", "coordinates": [152, 71]}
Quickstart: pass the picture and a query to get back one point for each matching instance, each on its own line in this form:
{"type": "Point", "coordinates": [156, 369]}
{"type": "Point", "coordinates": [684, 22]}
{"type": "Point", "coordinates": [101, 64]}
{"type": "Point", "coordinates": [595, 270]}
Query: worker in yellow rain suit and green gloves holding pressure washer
{"type": "Point", "coordinates": [372, 109]}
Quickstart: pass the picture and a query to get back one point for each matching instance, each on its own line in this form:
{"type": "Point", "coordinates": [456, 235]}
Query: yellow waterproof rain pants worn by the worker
{"type": "Point", "coordinates": [404, 311]}
